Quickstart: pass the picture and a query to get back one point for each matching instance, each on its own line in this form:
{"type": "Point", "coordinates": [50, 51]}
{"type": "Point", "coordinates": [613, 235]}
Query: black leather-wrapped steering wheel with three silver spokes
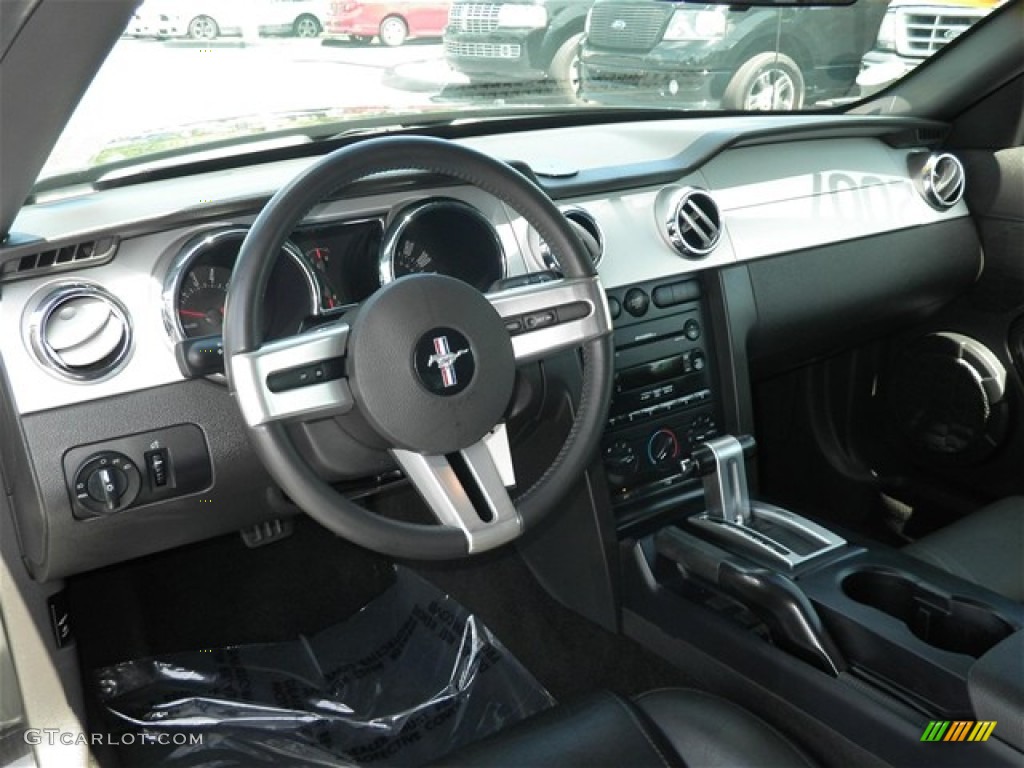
{"type": "Point", "coordinates": [428, 361]}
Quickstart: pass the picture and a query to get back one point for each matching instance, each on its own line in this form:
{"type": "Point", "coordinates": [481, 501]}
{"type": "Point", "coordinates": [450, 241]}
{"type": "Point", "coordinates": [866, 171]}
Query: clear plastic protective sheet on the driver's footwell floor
{"type": "Point", "coordinates": [408, 679]}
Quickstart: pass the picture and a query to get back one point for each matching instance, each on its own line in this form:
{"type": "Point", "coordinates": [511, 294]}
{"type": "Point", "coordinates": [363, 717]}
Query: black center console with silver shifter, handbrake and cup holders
{"type": "Point", "coordinates": [745, 582]}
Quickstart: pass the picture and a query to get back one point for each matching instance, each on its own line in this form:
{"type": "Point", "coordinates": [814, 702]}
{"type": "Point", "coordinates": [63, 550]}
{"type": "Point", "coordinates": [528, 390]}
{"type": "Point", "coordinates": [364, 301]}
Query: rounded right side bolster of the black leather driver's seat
{"type": "Point", "coordinates": [709, 732]}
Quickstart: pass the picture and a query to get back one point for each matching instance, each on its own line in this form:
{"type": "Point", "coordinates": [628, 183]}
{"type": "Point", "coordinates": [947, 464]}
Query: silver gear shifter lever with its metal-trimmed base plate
{"type": "Point", "coordinates": [760, 530]}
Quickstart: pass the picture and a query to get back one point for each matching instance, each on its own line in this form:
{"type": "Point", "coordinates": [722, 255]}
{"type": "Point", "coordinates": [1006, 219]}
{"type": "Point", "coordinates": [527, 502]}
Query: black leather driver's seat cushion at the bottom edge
{"type": "Point", "coordinates": [670, 728]}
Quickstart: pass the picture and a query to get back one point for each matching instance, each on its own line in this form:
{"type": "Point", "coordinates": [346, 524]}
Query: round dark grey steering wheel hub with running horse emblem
{"type": "Point", "coordinates": [432, 365]}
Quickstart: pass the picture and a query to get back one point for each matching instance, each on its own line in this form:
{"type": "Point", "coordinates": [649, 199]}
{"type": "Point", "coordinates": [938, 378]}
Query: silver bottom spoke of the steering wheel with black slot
{"type": "Point", "coordinates": [467, 491]}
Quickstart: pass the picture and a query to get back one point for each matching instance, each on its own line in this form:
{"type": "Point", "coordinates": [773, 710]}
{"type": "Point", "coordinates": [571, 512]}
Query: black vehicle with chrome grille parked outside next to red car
{"type": "Point", "coordinates": [517, 41]}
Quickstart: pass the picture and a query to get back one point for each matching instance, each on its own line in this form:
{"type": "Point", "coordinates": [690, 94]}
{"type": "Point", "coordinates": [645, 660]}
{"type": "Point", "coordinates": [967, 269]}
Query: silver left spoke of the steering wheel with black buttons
{"type": "Point", "coordinates": [294, 379]}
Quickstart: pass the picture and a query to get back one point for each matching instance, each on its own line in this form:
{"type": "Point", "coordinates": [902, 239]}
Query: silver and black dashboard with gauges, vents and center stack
{"type": "Point", "coordinates": [719, 242]}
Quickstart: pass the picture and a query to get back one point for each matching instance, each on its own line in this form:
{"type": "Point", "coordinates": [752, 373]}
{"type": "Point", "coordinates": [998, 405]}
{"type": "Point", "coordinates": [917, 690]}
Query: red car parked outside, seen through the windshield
{"type": "Point", "coordinates": [393, 21]}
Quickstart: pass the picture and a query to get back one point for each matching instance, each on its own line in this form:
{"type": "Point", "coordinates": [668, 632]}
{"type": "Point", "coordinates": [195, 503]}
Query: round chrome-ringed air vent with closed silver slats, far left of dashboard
{"type": "Point", "coordinates": [80, 332]}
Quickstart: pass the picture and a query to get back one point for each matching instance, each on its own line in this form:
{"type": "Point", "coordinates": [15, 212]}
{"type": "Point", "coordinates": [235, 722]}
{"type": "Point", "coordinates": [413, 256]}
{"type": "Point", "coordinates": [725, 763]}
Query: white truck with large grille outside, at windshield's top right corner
{"type": "Point", "coordinates": [912, 31]}
